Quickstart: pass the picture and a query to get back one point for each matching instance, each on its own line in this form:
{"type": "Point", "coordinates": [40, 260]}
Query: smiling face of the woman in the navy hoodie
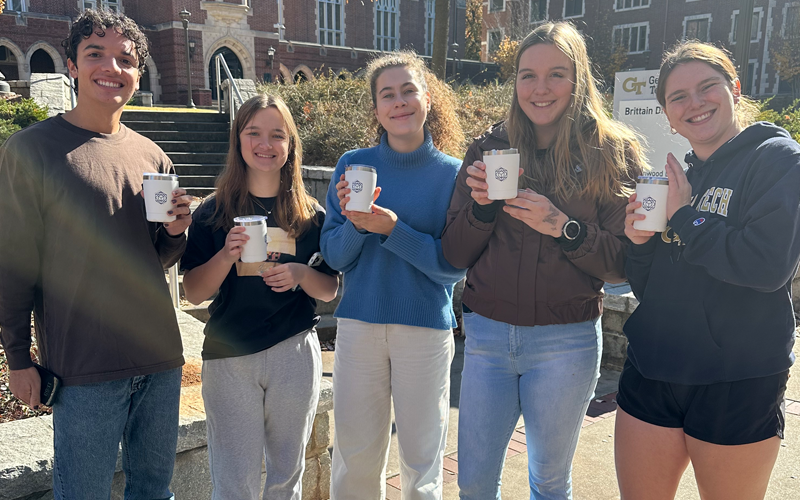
{"type": "Point", "coordinates": [700, 105]}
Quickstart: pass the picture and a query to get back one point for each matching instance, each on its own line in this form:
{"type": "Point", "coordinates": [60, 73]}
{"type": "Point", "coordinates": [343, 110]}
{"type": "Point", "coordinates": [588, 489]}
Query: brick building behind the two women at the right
{"type": "Point", "coordinates": [647, 27]}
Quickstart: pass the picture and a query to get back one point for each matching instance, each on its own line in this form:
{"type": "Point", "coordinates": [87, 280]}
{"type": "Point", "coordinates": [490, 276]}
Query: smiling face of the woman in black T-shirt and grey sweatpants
{"type": "Point", "coordinates": [264, 143]}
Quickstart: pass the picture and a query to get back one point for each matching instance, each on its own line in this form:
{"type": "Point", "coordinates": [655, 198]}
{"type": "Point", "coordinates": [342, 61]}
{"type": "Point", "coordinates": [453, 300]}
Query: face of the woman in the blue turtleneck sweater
{"type": "Point", "coordinates": [401, 104]}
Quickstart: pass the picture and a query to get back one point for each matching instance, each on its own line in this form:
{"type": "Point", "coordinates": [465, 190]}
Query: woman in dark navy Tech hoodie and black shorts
{"type": "Point", "coordinates": [710, 344]}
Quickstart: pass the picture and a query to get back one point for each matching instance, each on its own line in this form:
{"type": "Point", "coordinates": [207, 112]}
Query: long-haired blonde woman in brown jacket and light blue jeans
{"type": "Point", "coordinates": [537, 264]}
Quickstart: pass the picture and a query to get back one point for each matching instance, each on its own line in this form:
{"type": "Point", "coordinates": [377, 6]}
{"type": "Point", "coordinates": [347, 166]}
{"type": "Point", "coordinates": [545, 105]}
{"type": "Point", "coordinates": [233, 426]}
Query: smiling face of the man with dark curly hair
{"type": "Point", "coordinates": [107, 70]}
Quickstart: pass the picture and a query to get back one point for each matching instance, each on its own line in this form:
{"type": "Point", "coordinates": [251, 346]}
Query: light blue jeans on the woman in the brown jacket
{"type": "Point", "coordinates": [548, 373]}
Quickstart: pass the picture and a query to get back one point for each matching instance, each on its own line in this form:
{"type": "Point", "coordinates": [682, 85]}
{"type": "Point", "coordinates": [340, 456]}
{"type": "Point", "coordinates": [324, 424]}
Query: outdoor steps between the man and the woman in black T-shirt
{"type": "Point", "coordinates": [196, 142]}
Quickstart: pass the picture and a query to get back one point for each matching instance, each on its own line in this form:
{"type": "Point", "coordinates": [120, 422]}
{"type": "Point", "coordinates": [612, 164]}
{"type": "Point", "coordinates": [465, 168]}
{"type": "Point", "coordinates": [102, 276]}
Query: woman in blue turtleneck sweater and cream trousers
{"type": "Point", "coordinates": [394, 338]}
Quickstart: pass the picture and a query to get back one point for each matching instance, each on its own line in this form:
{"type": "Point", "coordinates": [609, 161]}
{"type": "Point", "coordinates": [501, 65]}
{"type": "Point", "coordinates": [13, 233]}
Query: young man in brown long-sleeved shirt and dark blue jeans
{"type": "Point", "coordinates": [76, 249]}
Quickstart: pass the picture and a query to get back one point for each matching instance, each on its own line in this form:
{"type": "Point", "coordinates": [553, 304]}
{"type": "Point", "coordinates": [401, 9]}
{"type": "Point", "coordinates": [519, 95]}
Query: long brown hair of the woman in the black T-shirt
{"type": "Point", "coordinates": [294, 207]}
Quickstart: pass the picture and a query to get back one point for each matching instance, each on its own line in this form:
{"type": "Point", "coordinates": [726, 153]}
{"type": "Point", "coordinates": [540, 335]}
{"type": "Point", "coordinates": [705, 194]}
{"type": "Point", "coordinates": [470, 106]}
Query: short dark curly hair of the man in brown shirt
{"type": "Point", "coordinates": [97, 22]}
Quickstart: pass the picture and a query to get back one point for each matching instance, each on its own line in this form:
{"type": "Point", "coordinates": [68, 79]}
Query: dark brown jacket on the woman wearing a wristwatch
{"type": "Point", "coordinates": [519, 276]}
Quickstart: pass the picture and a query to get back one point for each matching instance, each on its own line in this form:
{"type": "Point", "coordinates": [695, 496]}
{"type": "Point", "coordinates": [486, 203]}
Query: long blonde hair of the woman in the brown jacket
{"type": "Point", "coordinates": [592, 155]}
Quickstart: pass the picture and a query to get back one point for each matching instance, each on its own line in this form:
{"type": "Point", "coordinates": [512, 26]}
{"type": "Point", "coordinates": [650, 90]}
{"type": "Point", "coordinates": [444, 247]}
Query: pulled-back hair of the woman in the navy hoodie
{"type": "Point", "coordinates": [688, 51]}
